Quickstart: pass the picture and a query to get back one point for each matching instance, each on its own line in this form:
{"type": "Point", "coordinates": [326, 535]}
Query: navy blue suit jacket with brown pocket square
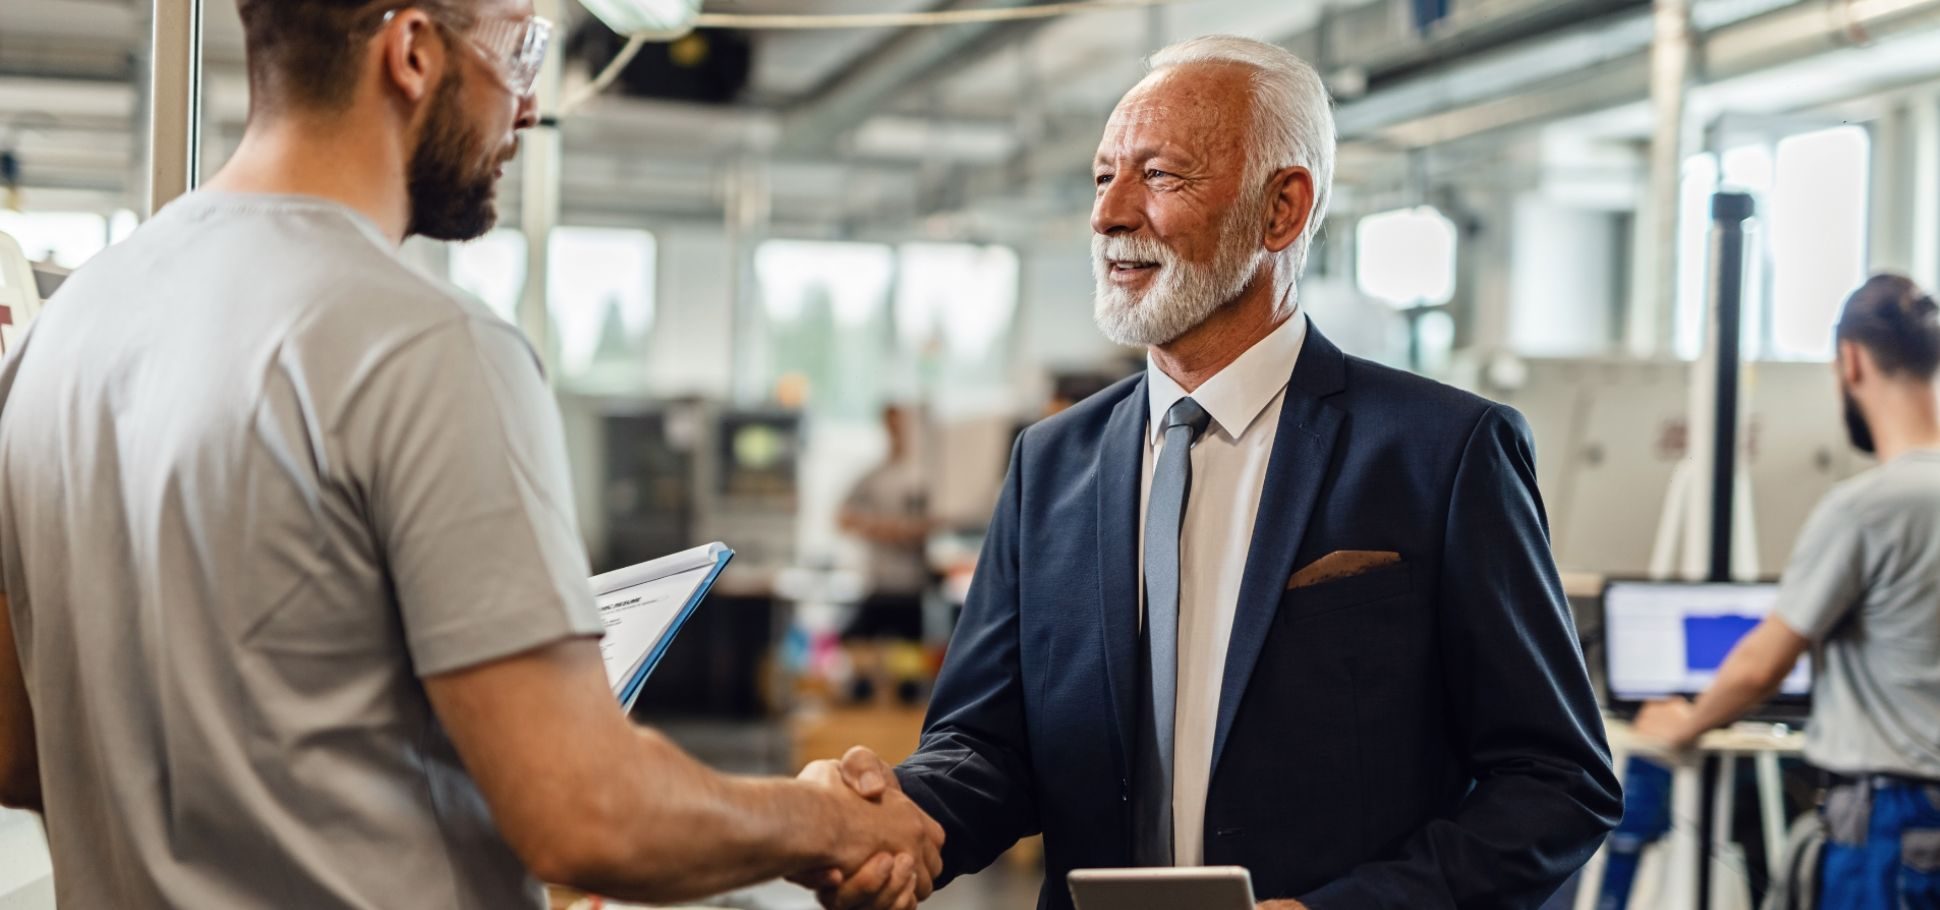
{"type": "Point", "coordinates": [1421, 736]}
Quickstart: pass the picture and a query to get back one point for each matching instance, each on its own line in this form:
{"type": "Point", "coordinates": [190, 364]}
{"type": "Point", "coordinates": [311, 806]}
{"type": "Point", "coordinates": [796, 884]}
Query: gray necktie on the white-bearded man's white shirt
{"type": "Point", "coordinates": [1165, 513]}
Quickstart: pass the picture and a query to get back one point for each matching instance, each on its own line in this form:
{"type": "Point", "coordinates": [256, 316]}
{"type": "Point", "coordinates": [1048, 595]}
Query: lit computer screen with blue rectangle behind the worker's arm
{"type": "Point", "coordinates": [1669, 639]}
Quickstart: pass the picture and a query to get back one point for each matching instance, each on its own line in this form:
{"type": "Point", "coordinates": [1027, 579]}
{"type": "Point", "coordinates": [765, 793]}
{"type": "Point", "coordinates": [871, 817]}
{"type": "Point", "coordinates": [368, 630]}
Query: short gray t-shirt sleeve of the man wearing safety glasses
{"type": "Point", "coordinates": [459, 449]}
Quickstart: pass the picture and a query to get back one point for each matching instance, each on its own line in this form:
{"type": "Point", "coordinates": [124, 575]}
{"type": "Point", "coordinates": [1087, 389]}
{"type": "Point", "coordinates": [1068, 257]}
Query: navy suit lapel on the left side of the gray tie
{"type": "Point", "coordinates": [1120, 461]}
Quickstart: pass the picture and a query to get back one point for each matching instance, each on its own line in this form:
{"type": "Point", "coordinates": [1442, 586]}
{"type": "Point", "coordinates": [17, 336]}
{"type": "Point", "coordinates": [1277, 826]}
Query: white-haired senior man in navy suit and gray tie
{"type": "Point", "coordinates": [1264, 604]}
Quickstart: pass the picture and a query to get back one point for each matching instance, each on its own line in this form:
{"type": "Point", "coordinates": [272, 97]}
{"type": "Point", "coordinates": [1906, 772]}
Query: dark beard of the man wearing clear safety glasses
{"type": "Point", "coordinates": [453, 199]}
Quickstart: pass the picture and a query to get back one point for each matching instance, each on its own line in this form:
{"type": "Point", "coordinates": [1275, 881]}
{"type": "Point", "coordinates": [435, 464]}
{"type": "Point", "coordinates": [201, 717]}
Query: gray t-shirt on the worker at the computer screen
{"type": "Point", "coordinates": [1865, 585]}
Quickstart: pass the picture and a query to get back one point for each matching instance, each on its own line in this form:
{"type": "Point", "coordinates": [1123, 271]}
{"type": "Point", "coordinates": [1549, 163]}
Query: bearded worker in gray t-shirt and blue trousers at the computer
{"type": "Point", "coordinates": [1865, 589]}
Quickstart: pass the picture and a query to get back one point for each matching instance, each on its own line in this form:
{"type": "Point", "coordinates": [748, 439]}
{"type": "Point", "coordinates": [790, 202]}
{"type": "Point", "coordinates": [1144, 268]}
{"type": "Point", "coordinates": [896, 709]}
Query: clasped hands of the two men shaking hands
{"type": "Point", "coordinates": [888, 851]}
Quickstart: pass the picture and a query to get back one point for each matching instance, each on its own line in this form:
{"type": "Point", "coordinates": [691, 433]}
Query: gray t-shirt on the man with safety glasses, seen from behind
{"type": "Point", "coordinates": [257, 478]}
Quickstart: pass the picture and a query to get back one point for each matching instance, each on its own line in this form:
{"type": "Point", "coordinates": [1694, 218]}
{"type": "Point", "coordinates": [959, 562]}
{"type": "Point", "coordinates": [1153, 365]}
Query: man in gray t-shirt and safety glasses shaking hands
{"type": "Point", "coordinates": [296, 612]}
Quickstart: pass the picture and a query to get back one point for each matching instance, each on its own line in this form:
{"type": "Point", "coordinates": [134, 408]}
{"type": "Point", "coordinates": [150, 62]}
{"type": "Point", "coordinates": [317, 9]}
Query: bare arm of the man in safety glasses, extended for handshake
{"type": "Point", "coordinates": [593, 802]}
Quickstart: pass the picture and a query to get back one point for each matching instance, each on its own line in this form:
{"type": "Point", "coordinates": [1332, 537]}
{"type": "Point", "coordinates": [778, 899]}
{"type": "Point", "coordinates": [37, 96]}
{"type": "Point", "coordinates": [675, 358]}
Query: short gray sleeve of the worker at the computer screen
{"type": "Point", "coordinates": [1827, 575]}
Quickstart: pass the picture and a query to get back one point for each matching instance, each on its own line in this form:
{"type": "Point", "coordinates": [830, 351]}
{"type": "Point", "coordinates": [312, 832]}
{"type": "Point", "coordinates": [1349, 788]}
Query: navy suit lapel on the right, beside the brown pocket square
{"type": "Point", "coordinates": [1303, 453]}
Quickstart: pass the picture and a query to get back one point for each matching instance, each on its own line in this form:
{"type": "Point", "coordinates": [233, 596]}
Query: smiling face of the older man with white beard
{"type": "Point", "coordinates": [1177, 232]}
